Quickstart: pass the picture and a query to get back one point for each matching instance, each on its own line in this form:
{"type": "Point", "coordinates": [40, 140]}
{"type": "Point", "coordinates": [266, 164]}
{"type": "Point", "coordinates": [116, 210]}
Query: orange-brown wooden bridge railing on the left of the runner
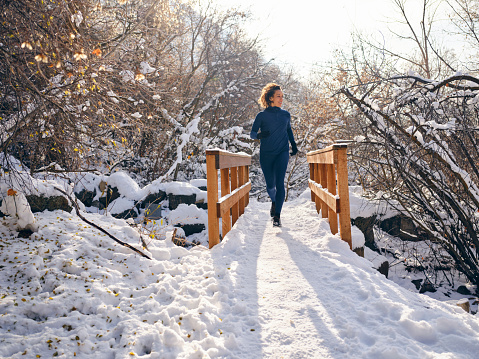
{"type": "Point", "coordinates": [235, 187]}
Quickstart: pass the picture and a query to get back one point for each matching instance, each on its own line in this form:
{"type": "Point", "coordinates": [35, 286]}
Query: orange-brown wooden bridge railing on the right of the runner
{"type": "Point", "coordinates": [329, 187]}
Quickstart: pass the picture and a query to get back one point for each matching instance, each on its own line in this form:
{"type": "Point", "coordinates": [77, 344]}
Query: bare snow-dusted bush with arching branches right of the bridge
{"type": "Point", "coordinates": [417, 149]}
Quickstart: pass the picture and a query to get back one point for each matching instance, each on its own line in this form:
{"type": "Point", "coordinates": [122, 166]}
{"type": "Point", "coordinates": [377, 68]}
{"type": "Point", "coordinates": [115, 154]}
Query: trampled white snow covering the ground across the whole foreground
{"type": "Point", "coordinates": [264, 292]}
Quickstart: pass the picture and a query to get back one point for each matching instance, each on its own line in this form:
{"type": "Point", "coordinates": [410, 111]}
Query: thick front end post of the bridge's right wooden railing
{"type": "Point", "coordinates": [343, 191]}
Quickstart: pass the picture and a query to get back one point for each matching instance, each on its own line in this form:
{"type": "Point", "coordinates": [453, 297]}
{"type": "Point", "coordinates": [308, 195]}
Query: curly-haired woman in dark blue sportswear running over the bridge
{"type": "Point", "coordinates": [275, 126]}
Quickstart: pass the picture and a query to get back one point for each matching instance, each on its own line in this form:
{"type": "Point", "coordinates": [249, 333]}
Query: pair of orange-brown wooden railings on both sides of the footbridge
{"type": "Point", "coordinates": [328, 182]}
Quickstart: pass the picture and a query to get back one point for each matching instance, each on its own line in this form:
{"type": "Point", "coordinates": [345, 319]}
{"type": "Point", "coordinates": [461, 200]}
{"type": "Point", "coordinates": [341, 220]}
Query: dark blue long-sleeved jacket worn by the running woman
{"type": "Point", "coordinates": [278, 122]}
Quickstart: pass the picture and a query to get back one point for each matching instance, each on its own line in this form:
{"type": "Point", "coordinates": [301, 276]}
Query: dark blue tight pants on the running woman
{"type": "Point", "coordinates": [274, 170]}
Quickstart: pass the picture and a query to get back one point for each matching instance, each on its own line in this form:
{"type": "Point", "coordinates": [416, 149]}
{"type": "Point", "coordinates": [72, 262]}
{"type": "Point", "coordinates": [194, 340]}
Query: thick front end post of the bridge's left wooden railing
{"type": "Point", "coordinates": [212, 195]}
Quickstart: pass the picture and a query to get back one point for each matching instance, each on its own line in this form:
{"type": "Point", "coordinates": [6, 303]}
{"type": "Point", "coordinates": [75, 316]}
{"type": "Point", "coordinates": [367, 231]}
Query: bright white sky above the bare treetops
{"type": "Point", "coordinates": [304, 32]}
